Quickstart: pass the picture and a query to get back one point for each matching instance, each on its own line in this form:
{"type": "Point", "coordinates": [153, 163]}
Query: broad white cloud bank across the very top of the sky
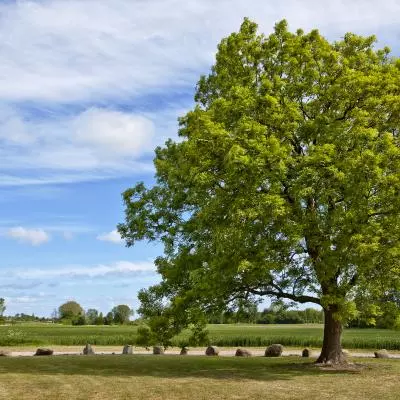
{"type": "Point", "coordinates": [75, 50]}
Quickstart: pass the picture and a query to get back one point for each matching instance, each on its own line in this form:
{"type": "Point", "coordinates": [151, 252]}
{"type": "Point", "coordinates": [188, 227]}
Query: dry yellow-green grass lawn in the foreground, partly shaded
{"type": "Point", "coordinates": [200, 377]}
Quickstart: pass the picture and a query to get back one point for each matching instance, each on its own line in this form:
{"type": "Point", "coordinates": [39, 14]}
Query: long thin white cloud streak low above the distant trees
{"type": "Point", "coordinates": [101, 270]}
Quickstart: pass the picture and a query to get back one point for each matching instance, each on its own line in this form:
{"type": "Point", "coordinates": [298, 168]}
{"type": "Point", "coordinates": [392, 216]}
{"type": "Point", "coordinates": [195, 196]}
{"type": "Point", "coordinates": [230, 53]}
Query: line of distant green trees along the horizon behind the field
{"type": "Point", "coordinates": [71, 312]}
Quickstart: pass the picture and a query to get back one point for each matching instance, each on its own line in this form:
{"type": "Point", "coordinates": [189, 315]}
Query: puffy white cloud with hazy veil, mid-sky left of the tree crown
{"type": "Point", "coordinates": [100, 142]}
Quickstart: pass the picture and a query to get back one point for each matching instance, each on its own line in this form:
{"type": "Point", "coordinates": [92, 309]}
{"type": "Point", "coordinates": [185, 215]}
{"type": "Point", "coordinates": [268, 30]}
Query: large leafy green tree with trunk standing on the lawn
{"type": "Point", "coordinates": [284, 181]}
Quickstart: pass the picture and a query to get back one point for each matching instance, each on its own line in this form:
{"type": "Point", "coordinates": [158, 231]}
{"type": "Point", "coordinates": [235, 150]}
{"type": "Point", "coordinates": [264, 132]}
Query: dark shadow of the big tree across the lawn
{"type": "Point", "coordinates": [224, 368]}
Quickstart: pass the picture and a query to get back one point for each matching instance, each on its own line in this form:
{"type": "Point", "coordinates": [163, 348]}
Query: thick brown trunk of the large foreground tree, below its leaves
{"type": "Point", "coordinates": [331, 348]}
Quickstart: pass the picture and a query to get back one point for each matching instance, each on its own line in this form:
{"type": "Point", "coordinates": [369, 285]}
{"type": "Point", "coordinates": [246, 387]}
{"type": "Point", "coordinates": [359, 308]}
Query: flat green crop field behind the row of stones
{"type": "Point", "coordinates": [221, 335]}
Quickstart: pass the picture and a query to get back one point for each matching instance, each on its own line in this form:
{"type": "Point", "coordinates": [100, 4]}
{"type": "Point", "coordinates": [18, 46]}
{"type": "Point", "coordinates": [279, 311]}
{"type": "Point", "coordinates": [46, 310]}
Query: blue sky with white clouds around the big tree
{"type": "Point", "coordinates": [88, 89]}
